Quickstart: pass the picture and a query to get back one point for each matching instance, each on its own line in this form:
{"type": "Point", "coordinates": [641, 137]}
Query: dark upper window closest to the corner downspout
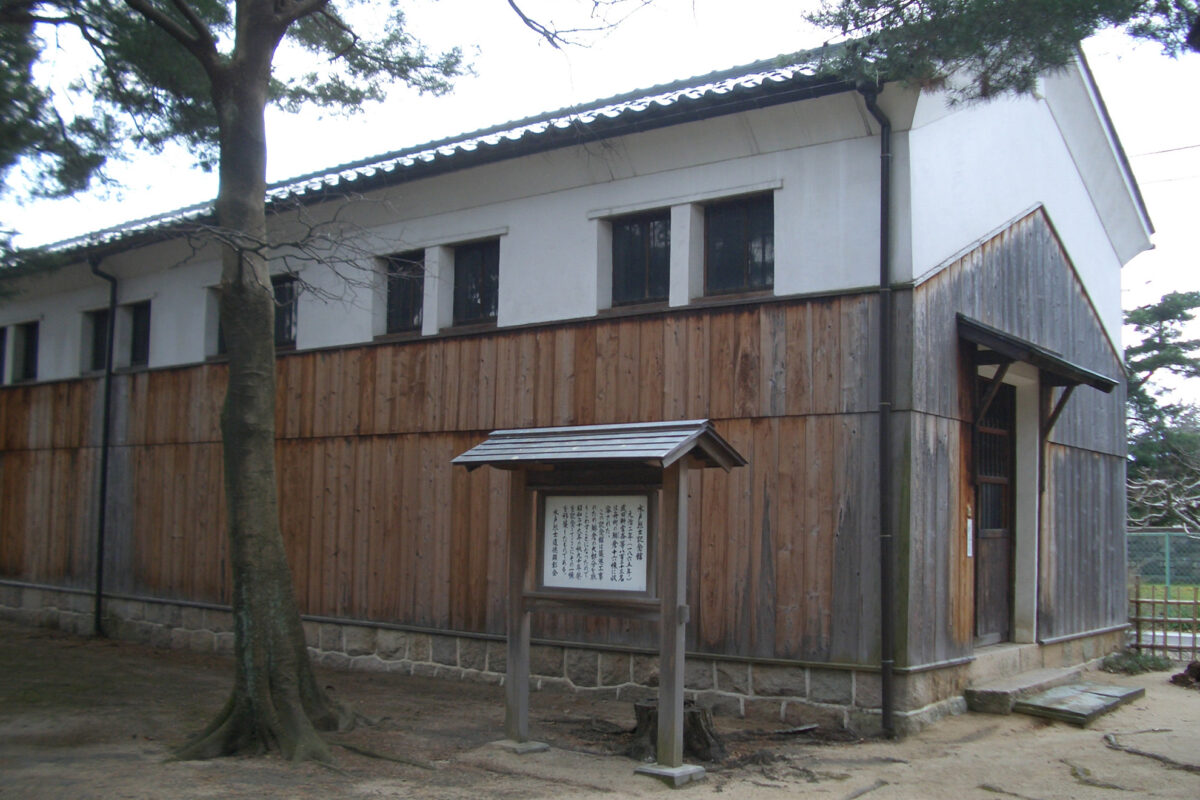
{"type": "Point", "coordinates": [740, 245]}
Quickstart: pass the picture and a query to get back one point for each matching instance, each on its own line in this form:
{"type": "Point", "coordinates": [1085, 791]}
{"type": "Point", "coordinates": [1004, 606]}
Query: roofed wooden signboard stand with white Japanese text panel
{"type": "Point", "coordinates": [589, 533]}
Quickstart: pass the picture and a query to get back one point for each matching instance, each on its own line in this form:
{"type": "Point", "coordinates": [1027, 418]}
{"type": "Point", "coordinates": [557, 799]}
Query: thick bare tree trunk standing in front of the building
{"type": "Point", "coordinates": [275, 703]}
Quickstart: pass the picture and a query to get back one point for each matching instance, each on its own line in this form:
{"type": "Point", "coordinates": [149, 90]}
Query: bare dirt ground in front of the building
{"type": "Point", "coordinates": [92, 719]}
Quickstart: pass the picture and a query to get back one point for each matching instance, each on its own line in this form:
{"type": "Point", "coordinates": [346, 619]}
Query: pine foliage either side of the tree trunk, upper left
{"type": "Point", "coordinates": [139, 85]}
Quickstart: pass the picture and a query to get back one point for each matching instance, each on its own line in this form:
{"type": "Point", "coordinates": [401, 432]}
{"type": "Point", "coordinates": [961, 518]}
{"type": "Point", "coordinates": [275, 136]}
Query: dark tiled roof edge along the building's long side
{"type": "Point", "coordinates": [764, 83]}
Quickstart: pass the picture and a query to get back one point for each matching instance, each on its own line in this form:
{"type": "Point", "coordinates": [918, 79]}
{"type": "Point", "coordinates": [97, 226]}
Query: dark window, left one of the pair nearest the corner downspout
{"type": "Point", "coordinates": [641, 258]}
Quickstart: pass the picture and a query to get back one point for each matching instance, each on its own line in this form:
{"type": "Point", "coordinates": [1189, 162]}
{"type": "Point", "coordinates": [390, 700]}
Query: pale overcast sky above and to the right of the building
{"type": "Point", "coordinates": [1153, 101]}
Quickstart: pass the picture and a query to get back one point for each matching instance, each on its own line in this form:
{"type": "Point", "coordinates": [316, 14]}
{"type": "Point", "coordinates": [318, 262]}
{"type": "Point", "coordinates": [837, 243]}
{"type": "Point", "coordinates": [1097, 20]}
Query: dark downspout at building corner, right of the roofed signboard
{"type": "Point", "coordinates": [887, 548]}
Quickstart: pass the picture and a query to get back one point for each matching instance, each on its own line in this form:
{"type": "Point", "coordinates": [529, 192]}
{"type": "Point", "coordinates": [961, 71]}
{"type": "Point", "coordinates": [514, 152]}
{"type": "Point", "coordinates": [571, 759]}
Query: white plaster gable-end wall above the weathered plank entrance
{"type": "Point", "coordinates": [980, 167]}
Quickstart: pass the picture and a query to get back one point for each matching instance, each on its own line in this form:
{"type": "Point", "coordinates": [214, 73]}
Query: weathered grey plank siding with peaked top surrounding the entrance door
{"type": "Point", "coordinates": [1023, 284]}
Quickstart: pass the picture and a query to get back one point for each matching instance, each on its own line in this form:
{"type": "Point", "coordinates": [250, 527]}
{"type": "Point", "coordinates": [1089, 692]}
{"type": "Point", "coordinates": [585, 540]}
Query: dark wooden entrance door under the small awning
{"type": "Point", "coordinates": [994, 518]}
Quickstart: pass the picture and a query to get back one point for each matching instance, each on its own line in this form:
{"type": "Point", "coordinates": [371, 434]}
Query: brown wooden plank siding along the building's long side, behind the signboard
{"type": "Point", "coordinates": [379, 526]}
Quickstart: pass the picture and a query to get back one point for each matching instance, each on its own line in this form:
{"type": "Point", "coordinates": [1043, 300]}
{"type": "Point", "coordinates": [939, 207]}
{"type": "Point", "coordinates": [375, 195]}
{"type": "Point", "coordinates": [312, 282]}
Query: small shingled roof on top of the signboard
{"type": "Point", "coordinates": [659, 444]}
